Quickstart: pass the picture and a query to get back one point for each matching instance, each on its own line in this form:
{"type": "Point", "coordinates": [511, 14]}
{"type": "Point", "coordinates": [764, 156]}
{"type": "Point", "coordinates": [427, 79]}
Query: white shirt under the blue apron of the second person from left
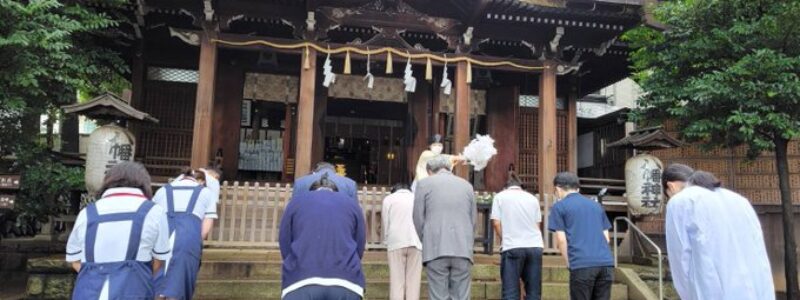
{"type": "Point", "coordinates": [206, 206]}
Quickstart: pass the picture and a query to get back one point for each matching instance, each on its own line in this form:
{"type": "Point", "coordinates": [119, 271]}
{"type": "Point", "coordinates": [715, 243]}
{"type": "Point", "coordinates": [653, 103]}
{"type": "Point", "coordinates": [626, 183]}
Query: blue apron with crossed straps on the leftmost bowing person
{"type": "Point", "coordinates": [128, 279]}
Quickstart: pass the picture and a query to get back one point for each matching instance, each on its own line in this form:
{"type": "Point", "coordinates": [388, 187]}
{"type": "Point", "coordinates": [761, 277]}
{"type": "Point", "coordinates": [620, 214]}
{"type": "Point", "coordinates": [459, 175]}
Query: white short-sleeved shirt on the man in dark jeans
{"type": "Point", "coordinates": [519, 214]}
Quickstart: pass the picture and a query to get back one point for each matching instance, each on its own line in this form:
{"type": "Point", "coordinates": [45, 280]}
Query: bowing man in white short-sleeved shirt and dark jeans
{"type": "Point", "coordinates": [516, 217]}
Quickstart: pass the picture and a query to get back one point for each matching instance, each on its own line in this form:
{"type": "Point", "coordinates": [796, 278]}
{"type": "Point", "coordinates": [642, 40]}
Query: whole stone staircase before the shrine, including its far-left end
{"type": "Point", "coordinates": [256, 274]}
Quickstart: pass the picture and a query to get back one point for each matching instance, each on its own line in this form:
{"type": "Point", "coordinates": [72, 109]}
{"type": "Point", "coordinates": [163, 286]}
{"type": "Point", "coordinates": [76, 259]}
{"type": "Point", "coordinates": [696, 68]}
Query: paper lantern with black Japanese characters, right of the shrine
{"type": "Point", "coordinates": [644, 192]}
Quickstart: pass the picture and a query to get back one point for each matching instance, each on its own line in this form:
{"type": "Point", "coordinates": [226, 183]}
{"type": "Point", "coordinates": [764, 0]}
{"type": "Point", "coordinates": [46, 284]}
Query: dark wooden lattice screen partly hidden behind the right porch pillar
{"type": "Point", "coordinates": [528, 160]}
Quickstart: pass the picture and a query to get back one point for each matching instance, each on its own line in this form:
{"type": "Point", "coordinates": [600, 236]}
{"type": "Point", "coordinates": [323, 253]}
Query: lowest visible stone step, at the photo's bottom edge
{"type": "Point", "coordinates": [271, 289]}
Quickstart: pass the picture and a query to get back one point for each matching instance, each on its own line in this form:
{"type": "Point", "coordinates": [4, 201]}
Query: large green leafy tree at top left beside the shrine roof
{"type": "Point", "coordinates": [49, 50]}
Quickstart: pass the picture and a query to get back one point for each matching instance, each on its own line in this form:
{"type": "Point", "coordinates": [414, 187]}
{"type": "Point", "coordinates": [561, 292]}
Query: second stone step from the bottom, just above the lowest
{"type": "Point", "coordinates": [264, 270]}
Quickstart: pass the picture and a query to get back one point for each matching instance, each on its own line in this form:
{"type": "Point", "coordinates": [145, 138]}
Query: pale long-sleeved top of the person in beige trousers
{"type": "Point", "coordinates": [398, 223]}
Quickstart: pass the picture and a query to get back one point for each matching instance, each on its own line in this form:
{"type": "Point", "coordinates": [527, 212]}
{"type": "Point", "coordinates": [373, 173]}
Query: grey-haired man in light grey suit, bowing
{"type": "Point", "coordinates": [444, 217]}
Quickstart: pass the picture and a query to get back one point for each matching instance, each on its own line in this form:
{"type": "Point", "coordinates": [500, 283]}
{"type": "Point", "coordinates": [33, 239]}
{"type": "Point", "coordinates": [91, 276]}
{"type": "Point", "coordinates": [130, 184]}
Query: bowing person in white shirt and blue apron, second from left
{"type": "Point", "coordinates": [188, 204]}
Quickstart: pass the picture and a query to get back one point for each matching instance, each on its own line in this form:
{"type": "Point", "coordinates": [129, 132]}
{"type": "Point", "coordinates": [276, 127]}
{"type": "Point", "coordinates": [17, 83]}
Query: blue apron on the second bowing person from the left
{"type": "Point", "coordinates": [181, 272]}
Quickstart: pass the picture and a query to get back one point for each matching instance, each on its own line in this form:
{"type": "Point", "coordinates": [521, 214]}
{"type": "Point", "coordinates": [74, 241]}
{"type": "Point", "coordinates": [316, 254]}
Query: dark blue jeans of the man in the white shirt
{"type": "Point", "coordinates": [525, 264]}
